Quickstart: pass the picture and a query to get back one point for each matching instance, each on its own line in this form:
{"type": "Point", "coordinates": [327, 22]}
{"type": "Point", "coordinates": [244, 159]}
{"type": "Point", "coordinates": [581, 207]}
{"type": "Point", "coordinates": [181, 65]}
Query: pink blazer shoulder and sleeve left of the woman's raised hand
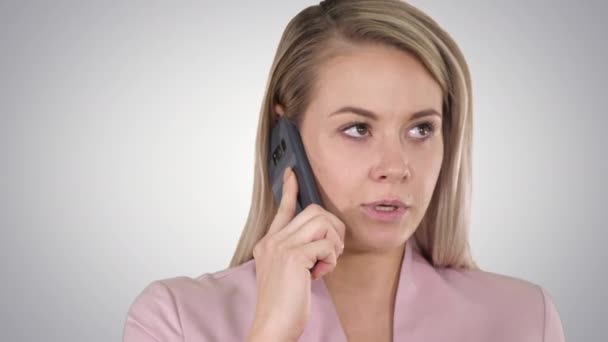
{"type": "Point", "coordinates": [171, 309]}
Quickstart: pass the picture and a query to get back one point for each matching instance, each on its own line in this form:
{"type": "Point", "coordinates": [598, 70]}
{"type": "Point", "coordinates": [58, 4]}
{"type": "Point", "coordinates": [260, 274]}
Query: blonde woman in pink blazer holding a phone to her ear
{"type": "Point", "coordinates": [381, 96]}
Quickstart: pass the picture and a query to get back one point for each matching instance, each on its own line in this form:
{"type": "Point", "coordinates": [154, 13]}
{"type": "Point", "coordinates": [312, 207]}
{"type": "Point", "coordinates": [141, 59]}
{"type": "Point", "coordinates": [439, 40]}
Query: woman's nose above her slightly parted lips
{"type": "Point", "coordinates": [392, 164]}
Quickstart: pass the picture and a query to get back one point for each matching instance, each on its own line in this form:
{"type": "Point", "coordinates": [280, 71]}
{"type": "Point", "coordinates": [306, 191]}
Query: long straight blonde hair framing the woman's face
{"type": "Point", "coordinates": [315, 35]}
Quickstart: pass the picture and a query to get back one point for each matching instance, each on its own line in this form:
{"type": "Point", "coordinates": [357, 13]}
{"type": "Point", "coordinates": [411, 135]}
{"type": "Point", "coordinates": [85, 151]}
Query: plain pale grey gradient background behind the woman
{"type": "Point", "coordinates": [127, 132]}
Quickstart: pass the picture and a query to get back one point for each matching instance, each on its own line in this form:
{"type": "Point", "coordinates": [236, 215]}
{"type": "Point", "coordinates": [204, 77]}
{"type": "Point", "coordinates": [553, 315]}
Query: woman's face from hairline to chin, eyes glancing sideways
{"type": "Point", "coordinates": [373, 132]}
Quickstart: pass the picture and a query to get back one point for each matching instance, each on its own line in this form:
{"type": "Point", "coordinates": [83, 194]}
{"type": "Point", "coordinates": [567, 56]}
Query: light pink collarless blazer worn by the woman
{"type": "Point", "coordinates": [432, 304]}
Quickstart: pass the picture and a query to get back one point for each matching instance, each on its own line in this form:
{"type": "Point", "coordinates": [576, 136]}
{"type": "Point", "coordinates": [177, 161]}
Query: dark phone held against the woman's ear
{"type": "Point", "coordinates": [286, 149]}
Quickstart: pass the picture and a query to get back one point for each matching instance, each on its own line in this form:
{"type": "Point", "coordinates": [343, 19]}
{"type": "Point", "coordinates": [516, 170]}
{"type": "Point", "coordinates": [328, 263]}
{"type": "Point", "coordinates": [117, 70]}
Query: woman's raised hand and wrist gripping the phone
{"type": "Point", "coordinates": [294, 250]}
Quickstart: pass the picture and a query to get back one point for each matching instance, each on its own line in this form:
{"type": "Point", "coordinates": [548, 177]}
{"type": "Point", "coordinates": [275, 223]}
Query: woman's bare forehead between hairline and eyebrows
{"type": "Point", "coordinates": [380, 78]}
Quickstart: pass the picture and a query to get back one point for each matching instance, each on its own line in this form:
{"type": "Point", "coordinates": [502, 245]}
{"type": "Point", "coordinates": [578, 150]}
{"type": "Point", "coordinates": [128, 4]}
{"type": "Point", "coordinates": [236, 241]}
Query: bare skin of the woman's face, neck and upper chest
{"type": "Point", "coordinates": [393, 155]}
